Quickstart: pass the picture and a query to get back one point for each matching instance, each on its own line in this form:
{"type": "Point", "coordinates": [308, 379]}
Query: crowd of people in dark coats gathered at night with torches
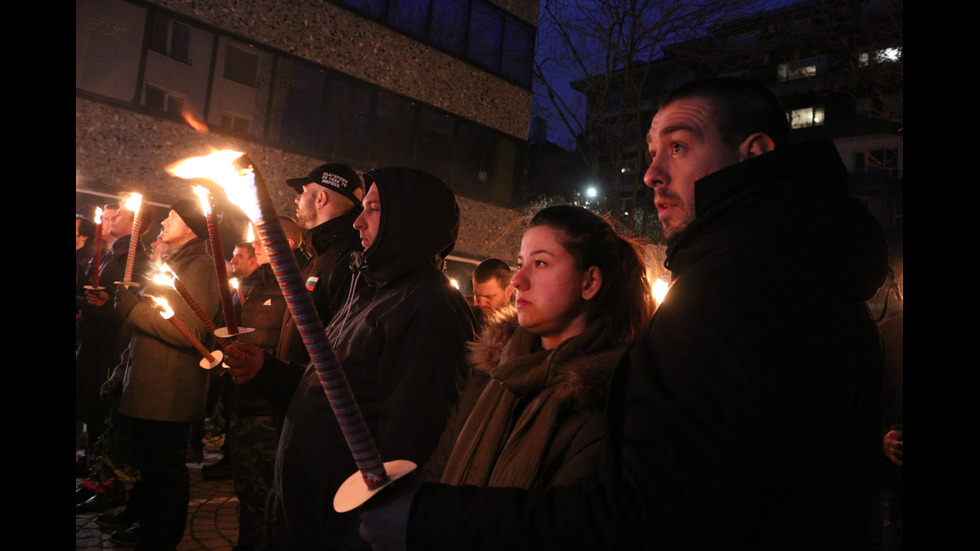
{"type": "Point", "coordinates": [561, 408]}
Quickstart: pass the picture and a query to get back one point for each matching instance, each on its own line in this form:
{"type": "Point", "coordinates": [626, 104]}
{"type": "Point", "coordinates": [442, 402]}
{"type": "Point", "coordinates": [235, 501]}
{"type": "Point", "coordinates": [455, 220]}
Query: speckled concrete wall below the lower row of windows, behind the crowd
{"type": "Point", "coordinates": [118, 151]}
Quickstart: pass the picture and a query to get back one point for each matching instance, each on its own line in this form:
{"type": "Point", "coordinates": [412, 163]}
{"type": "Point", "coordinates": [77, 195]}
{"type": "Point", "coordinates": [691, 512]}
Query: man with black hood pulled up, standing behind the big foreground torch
{"type": "Point", "coordinates": [400, 340]}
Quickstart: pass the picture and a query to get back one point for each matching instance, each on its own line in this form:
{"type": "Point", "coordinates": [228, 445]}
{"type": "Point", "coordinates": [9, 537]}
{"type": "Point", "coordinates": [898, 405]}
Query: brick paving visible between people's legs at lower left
{"type": "Point", "coordinates": [212, 518]}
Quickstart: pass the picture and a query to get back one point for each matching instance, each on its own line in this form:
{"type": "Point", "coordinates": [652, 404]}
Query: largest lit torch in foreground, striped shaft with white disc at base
{"type": "Point", "coordinates": [245, 188]}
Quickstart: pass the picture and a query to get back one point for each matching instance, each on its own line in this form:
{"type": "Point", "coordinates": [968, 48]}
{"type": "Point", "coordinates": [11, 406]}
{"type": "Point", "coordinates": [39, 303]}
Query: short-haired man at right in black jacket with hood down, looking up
{"type": "Point", "coordinates": [746, 415]}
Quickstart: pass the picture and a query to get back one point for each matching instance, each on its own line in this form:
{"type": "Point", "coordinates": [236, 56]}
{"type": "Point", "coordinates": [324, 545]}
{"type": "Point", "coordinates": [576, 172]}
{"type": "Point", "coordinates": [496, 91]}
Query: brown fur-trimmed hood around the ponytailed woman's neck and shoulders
{"type": "Point", "coordinates": [579, 368]}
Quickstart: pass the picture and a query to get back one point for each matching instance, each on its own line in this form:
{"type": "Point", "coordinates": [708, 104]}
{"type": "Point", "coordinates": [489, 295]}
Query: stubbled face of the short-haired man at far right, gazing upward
{"type": "Point", "coordinates": [684, 145]}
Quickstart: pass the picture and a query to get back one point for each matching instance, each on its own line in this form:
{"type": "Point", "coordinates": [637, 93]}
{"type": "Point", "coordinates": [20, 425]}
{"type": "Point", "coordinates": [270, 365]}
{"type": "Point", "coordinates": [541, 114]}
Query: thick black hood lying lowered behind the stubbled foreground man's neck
{"type": "Point", "coordinates": [790, 206]}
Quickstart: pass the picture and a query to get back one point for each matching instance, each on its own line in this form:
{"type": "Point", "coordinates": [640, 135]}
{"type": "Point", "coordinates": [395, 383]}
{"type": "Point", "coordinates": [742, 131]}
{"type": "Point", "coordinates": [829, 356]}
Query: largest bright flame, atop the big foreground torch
{"type": "Point", "coordinates": [219, 167]}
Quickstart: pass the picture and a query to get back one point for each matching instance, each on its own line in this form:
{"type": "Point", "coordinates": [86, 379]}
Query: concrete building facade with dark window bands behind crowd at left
{"type": "Point", "coordinates": [443, 86]}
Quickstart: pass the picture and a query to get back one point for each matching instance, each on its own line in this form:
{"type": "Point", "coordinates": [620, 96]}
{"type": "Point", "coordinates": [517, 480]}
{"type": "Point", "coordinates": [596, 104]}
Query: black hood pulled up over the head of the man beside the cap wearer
{"type": "Point", "coordinates": [419, 221]}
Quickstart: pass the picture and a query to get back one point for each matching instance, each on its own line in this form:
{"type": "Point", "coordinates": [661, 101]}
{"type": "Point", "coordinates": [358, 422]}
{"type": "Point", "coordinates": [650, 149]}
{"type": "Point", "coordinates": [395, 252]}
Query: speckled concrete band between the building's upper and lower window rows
{"type": "Point", "coordinates": [336, 38]}
